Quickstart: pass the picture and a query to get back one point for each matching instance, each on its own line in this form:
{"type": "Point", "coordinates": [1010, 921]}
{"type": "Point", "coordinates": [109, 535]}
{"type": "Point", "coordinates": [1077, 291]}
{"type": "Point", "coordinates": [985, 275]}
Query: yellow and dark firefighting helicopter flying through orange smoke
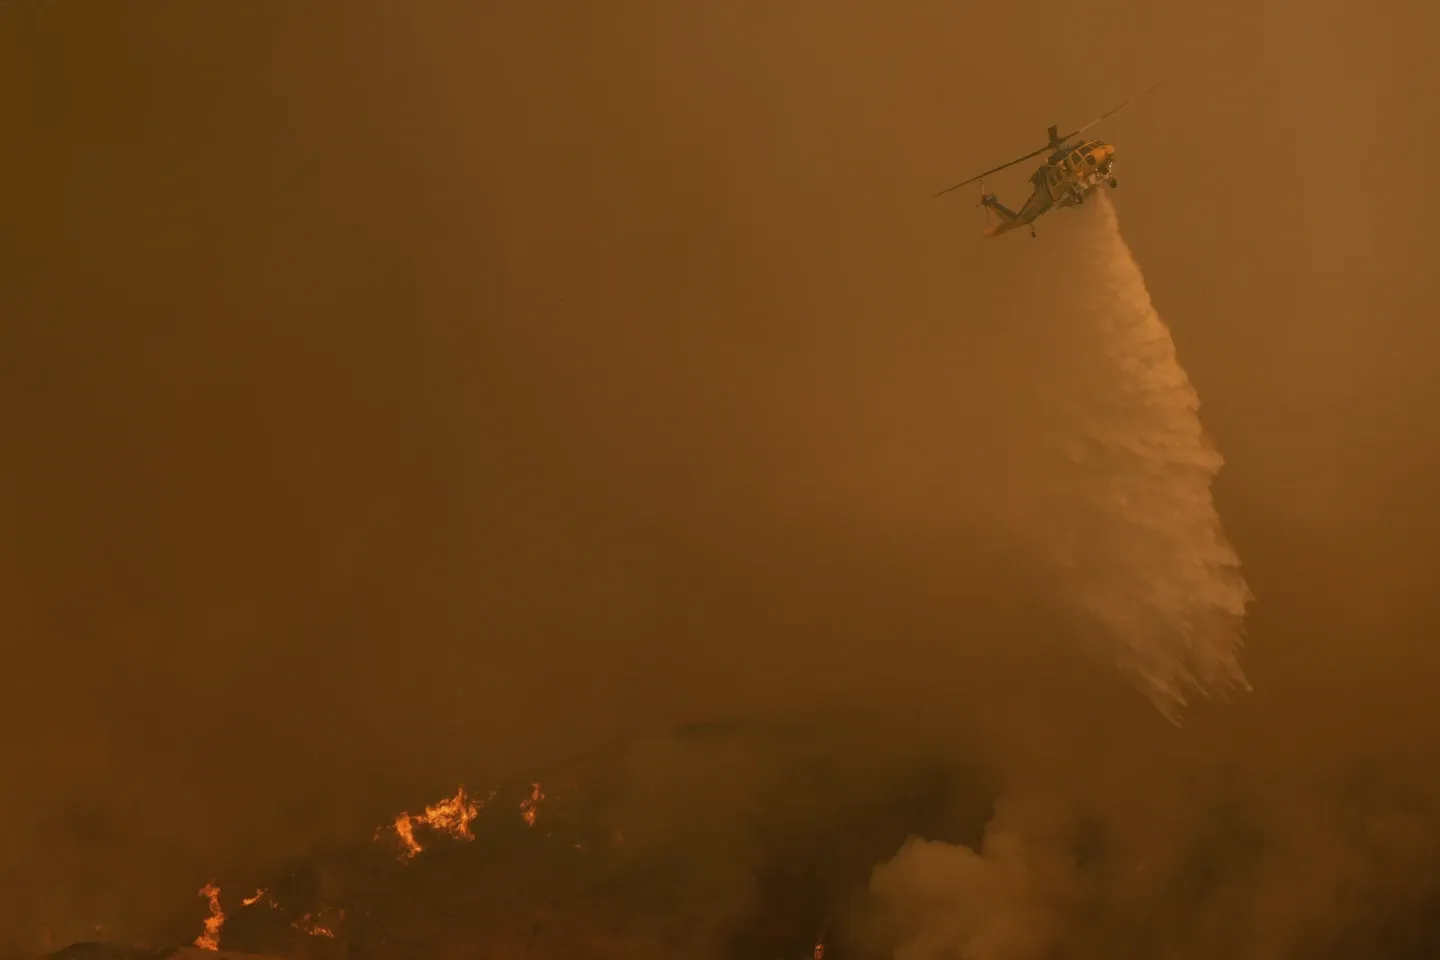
{"type": "Point", "coordinates": [1071, 173]}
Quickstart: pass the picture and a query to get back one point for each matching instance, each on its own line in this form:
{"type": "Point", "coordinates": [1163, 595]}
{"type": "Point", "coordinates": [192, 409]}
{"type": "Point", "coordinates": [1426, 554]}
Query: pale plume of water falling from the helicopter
{"type": "Point", "coordinates": [1122, 506]}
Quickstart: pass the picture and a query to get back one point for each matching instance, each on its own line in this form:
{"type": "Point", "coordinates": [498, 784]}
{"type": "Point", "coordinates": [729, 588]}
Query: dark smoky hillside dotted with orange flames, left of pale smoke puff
{"type": "Point", "coordinates": [591, 864]}
